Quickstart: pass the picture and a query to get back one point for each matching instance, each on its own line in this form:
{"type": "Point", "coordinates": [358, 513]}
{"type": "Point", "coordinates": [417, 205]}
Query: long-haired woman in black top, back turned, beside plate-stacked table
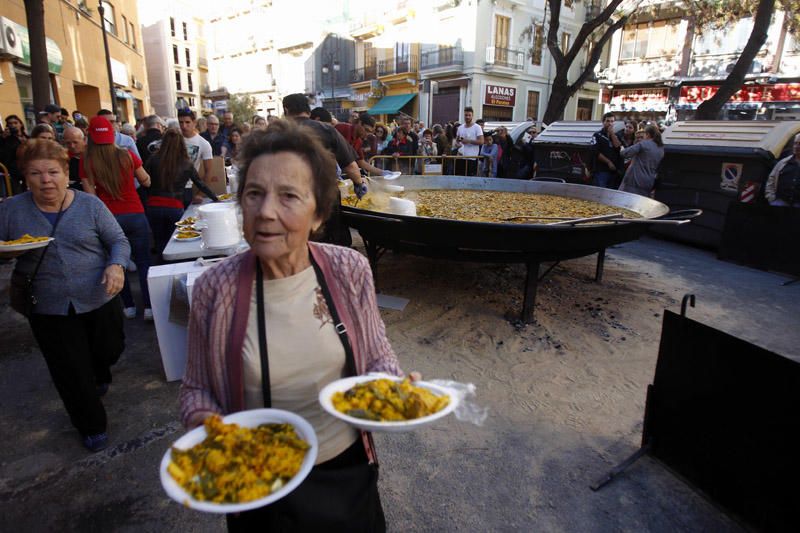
{"type": "Point", "coordinates": [170, 170]}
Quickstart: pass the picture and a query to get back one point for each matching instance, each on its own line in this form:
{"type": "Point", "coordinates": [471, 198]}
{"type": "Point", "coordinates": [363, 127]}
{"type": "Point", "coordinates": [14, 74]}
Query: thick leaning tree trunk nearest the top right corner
{"type": "Point", "coordinates": [709, 109]}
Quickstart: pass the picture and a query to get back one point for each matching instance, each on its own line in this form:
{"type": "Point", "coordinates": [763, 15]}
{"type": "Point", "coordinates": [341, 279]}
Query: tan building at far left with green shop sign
{"type": "Point", "coordinates": [76, 59]}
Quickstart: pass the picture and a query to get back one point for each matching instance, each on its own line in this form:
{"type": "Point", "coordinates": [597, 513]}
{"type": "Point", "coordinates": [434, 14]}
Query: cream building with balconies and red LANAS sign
{"type": "Point", "coordinates": [430, 59]}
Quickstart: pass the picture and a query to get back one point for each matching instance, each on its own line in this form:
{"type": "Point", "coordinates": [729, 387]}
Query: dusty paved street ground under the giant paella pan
{"type": "Point", "coordinates": [566, 397]}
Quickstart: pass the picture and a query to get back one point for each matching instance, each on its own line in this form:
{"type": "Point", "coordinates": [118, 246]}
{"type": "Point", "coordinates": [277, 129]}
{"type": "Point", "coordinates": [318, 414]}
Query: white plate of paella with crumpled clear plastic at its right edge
{"type": "Point", "coordinates": [384, 403]}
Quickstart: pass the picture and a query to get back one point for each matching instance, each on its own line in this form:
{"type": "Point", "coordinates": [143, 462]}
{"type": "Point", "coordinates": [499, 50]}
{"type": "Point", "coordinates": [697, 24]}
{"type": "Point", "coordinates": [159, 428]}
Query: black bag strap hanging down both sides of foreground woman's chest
{"type": "Point", "coordinates": [350, 362]}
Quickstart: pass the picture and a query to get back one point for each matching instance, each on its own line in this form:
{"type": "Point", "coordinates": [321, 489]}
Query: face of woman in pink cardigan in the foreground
{"type": "Point", "coordinates": [278, 206]}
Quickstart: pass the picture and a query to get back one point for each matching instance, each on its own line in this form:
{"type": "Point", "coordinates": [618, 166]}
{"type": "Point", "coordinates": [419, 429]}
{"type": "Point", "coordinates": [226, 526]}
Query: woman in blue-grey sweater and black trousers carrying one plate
{"type": "Point", "coordinates": [76, 318]}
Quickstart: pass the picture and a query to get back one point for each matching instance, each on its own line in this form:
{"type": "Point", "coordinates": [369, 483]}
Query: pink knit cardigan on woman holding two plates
{"type": "Point", "coordinates": [214, 379]}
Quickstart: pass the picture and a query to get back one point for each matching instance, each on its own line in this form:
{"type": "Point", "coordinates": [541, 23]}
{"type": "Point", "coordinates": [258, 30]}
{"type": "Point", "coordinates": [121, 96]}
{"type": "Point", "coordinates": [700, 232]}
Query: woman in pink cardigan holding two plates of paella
{"type": "Point", "coordinates": [313, 306]}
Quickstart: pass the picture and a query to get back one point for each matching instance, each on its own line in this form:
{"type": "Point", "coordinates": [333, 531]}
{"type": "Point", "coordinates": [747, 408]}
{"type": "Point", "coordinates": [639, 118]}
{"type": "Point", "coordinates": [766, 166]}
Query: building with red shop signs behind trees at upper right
{"type": "Point", "coordinates": [662, 67]}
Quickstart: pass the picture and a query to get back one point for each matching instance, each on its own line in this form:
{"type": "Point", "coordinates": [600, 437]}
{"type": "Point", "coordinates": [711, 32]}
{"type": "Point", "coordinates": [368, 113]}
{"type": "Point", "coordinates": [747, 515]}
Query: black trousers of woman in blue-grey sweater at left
{"type": "Point", "coordinates": [79, 350]}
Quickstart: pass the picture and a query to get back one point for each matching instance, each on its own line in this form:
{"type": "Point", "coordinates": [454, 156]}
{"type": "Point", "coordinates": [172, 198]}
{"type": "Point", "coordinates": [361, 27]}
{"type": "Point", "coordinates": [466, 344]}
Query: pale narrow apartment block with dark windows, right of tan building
{"type": "Point", "coordinates": [175, 47]}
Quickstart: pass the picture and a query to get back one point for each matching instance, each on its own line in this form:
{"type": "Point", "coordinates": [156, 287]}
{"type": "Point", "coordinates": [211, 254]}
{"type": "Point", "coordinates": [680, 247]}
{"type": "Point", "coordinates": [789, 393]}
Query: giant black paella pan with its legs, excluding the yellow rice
{"type": "Point", "coordinates": [529, 244]}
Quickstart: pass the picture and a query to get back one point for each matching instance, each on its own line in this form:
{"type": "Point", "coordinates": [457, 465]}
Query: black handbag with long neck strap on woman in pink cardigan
{"type": "Point", "coordinates": [338, 495]}
